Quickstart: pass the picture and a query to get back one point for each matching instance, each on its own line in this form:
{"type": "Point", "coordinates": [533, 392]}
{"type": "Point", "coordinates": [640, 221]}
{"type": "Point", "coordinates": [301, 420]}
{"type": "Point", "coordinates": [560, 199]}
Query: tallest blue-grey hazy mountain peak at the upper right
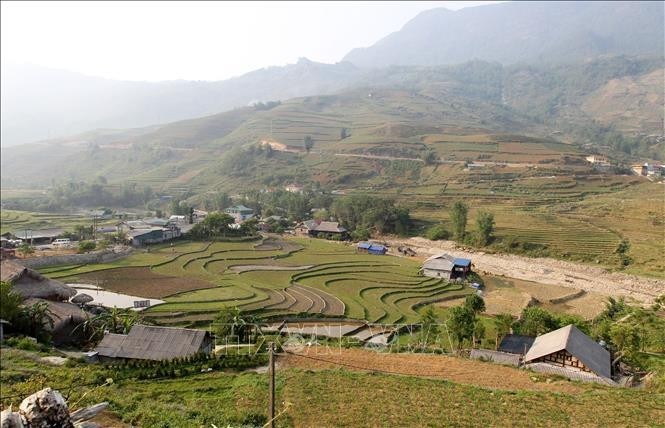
{"type": "Point", "coordinates": [521, 32]}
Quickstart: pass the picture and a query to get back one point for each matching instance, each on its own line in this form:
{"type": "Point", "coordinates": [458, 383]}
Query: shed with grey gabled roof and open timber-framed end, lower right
{"type": "Point", "coordinates": [568, 347]}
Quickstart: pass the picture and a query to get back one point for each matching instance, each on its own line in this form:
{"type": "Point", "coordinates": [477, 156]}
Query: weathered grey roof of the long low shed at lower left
{"type": "Point", "coordinates": [154, 343]}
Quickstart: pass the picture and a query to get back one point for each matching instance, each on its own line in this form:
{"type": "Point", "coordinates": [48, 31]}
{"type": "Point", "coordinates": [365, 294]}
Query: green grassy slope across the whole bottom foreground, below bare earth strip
{"type": "Point", "coordinates": [336, 397]}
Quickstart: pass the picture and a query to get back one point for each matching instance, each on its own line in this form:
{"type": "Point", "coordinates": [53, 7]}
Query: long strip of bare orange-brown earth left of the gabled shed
{"type": "Point", "coordinates": [458, 370]}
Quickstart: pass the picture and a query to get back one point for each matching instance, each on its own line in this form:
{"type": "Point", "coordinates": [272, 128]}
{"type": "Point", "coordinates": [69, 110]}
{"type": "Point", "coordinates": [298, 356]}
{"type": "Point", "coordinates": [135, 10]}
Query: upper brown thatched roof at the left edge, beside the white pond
{"type": "Point", "coordinates": [30, 283]}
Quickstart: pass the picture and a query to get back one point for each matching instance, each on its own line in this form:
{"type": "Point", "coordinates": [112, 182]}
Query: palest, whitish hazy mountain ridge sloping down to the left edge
{"type": "Point", "coordinates": [40, 103]}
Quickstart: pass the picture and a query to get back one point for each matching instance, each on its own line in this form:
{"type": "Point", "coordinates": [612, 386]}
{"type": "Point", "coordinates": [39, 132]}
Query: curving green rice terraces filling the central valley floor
{"type": "Point", "coordinates": [270, 277]}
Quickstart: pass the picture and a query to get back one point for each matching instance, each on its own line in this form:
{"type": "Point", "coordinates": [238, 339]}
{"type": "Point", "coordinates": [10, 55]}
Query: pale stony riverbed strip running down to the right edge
{"type": "Point", "coordinates": [543, 270]}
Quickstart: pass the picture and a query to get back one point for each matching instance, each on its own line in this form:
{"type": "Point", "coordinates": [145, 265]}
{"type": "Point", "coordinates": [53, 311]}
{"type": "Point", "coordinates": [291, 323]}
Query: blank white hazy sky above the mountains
{"type": "Point", "coordinates": [194, 40]}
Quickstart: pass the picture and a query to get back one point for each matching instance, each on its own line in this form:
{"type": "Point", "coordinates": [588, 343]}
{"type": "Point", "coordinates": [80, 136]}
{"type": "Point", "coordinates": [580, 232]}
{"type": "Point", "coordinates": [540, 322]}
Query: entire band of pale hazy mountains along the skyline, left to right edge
{"type": "Point", "coordinates": [40, 103]}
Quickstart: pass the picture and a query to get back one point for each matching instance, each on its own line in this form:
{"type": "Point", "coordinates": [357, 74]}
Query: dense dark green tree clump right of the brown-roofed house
{"type": "Point", "coordinates": [363, 213]}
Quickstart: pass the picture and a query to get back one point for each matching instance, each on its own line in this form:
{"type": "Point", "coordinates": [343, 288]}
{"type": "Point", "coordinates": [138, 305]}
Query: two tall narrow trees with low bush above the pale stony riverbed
{"type": "Point", "coordinates": [459, 215]}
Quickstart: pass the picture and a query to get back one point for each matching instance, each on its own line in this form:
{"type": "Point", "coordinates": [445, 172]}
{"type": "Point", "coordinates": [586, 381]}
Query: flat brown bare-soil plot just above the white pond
{"type": "Point", "coordinates": [141, 281]}
